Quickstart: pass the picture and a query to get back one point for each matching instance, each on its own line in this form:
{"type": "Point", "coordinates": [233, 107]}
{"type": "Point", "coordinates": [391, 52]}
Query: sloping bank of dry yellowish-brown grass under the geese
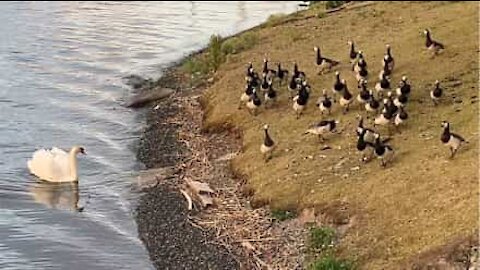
{"type": "Point", "coordinates": [424, 201]}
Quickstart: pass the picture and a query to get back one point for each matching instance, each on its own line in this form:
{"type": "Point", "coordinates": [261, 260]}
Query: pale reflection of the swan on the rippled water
{"type": "Point", "coordinates": [57, 195]}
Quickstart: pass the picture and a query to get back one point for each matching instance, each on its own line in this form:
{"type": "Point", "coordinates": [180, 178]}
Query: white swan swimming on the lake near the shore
{"type": "Point", "coordinates": [55, 165]}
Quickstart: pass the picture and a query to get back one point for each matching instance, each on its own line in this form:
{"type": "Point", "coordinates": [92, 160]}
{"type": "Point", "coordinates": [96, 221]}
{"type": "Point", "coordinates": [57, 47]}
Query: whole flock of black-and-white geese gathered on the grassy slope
{"type": "Point", "coordinates": [386, 103]}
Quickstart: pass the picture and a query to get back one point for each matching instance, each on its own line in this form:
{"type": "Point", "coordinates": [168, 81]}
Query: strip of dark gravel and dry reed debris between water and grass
{"type": "Point", "coordinates": [229, 235]}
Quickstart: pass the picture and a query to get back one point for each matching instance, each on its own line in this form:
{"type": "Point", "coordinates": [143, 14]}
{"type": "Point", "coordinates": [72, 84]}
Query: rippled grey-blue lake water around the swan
{"type": "Point", "coordinates": [61, 69]}
